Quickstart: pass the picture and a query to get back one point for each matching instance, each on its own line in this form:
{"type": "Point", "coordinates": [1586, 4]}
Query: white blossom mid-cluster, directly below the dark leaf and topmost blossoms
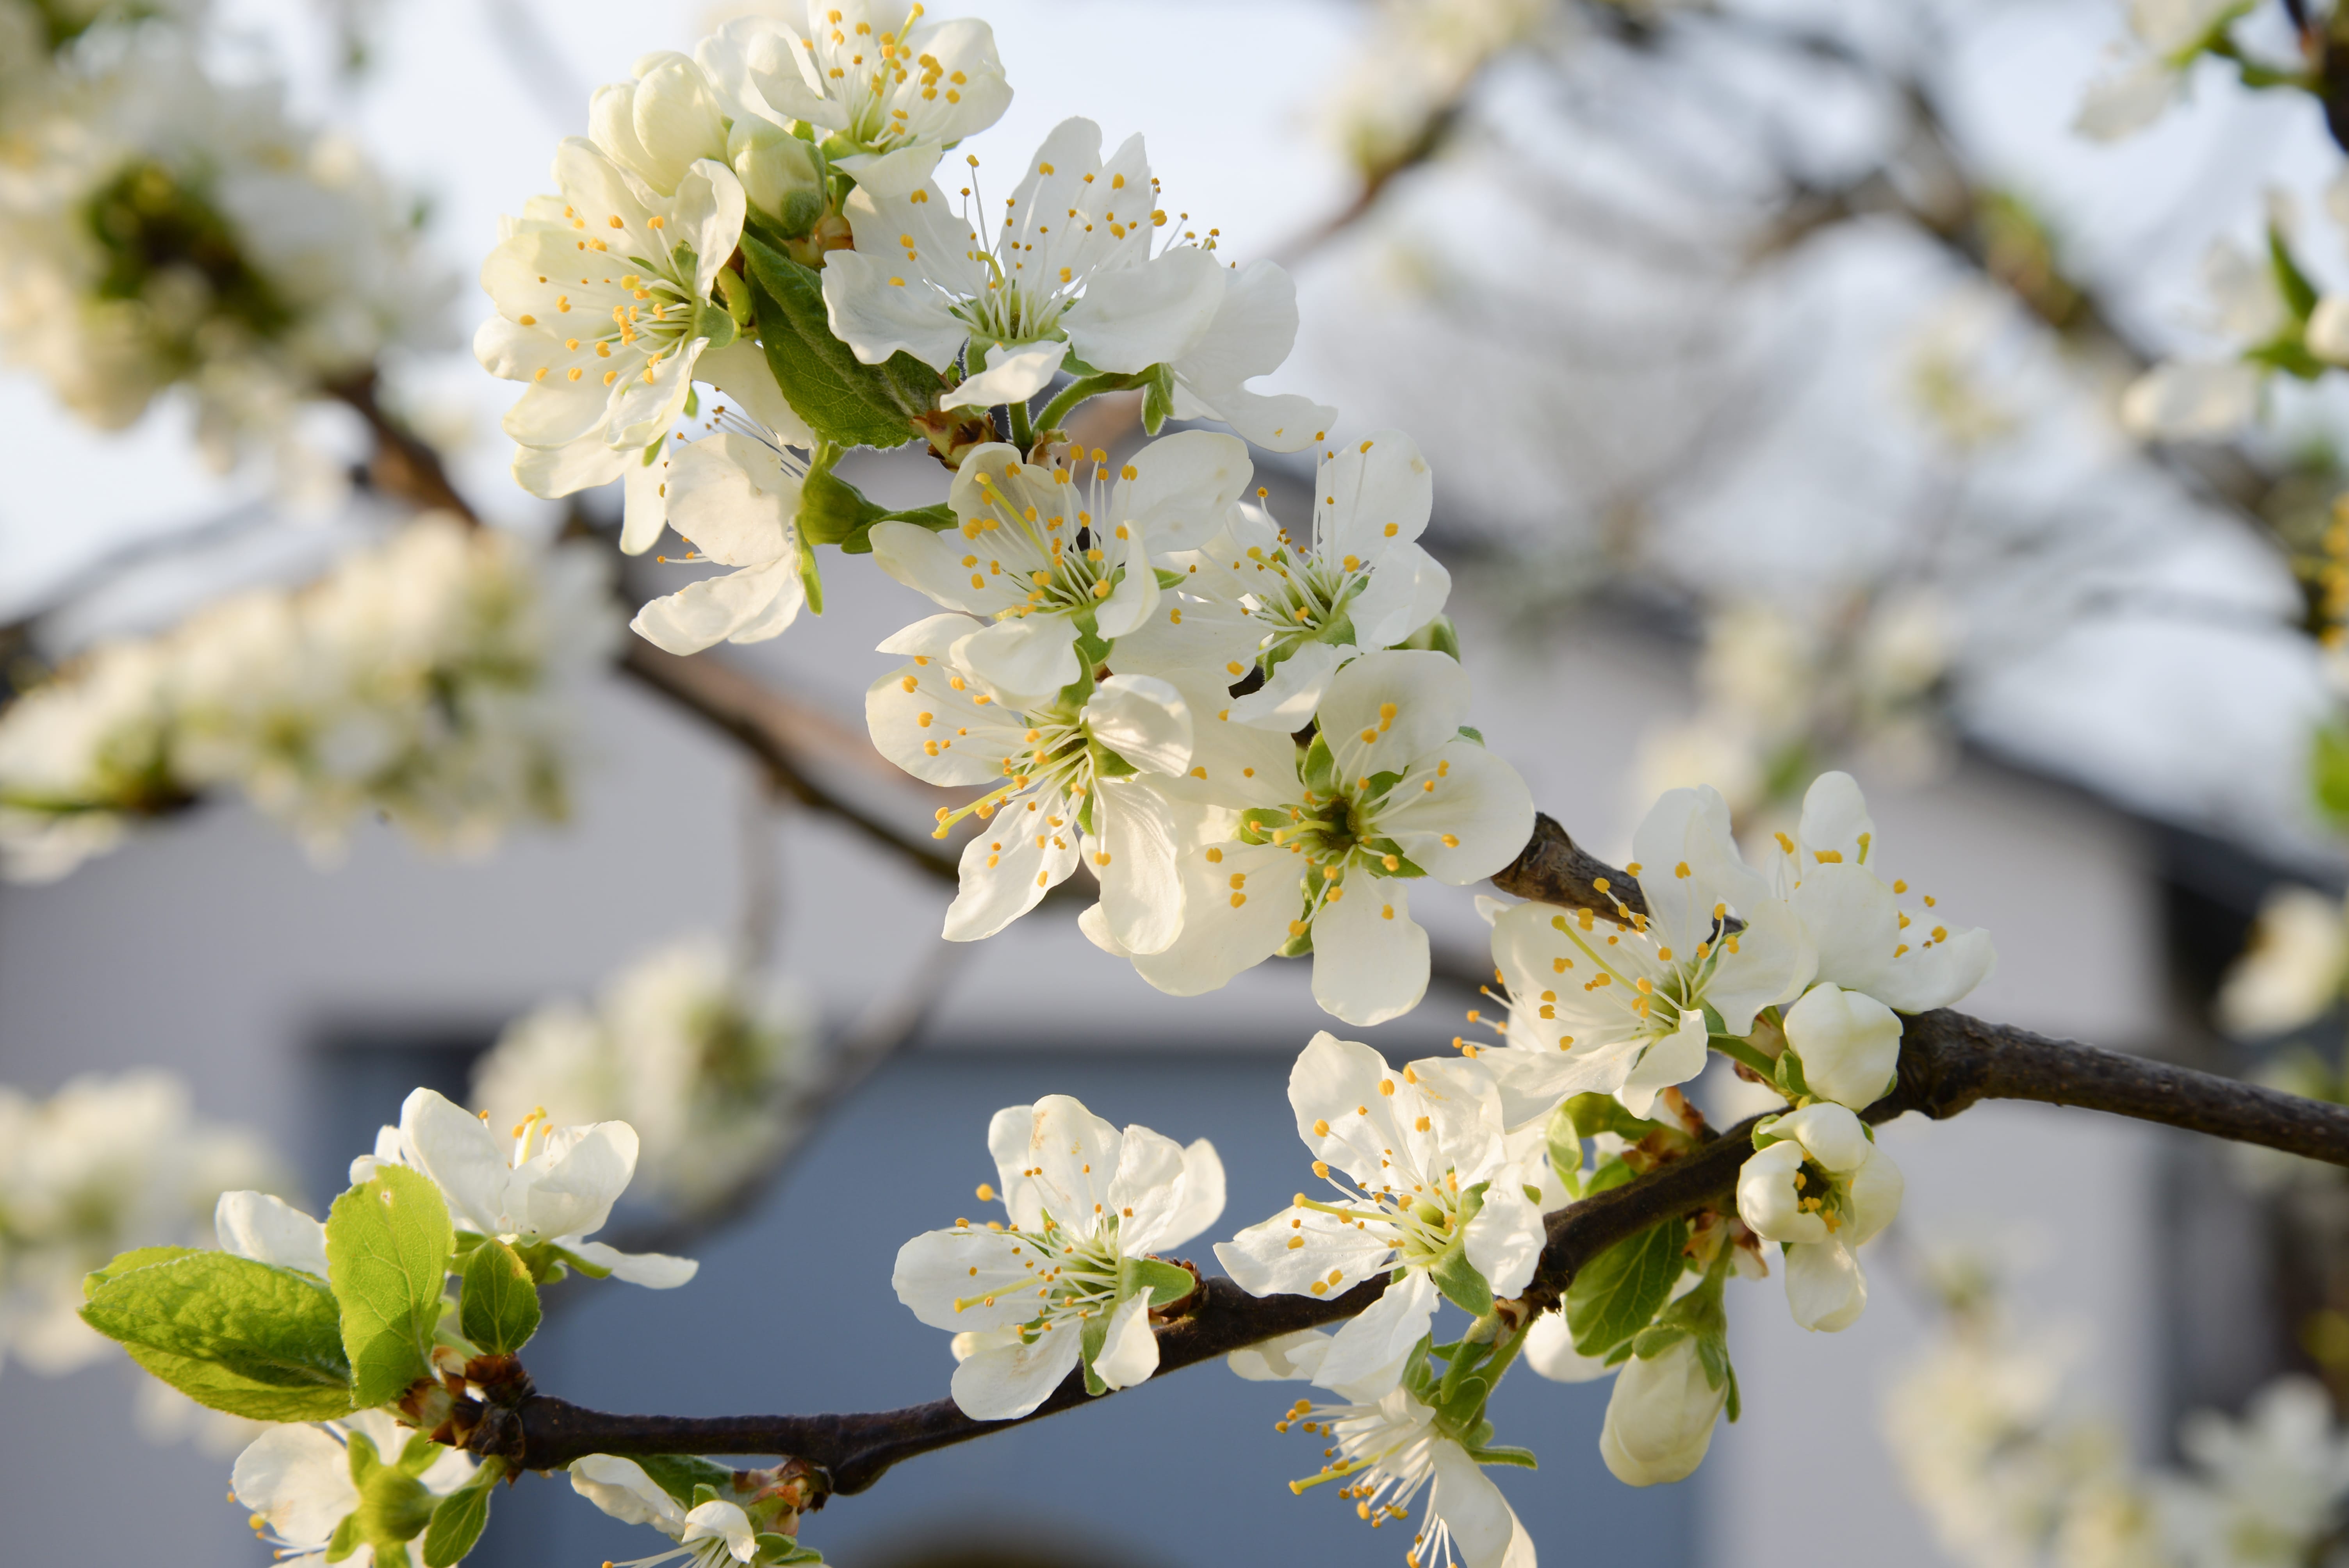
{"type": "Point", "coordinates": [1054, 562]}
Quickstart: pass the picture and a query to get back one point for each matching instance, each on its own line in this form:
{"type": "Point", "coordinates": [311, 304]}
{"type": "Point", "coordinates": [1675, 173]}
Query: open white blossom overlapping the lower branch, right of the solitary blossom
{"type": "Point", "coordinates": [1425, 1184]}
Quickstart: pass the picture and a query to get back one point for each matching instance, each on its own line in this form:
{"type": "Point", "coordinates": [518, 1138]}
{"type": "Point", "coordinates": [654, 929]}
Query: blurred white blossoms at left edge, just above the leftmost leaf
{"type": "Point", "coordinates": [105, 1165]}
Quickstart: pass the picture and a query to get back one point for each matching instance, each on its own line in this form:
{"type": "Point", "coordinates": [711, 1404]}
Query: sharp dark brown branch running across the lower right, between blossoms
{"type": "Point", "coordinates": [1948, 1062]}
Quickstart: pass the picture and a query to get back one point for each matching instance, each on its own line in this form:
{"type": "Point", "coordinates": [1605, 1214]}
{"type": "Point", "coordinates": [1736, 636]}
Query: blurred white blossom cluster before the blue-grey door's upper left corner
{"type": "Point", "coordinates": [706, 1067]}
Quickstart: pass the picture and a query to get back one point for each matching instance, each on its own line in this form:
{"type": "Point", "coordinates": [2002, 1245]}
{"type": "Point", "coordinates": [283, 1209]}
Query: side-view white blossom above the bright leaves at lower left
{"type": "Point", "coordinates": [544, 1187]}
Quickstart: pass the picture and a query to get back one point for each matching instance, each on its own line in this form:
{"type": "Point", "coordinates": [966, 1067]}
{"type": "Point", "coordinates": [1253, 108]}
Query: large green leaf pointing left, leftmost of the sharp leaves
{"type": "Point", "coordinates": [229, 1332]}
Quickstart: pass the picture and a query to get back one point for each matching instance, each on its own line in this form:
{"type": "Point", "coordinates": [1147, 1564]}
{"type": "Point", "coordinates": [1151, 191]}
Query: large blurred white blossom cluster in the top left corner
{"type": "Point", "coordinates": [166, 229]}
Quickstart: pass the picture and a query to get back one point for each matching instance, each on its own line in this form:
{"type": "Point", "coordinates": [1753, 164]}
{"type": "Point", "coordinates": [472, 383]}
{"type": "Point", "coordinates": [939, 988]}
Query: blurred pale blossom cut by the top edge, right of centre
{"type": "Point", "coordinates": [1415, 67]}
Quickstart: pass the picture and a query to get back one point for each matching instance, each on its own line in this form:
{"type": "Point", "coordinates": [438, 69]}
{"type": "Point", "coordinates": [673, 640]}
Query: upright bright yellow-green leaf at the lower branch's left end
{"type": "Point", "coordinates": [389, 1262]}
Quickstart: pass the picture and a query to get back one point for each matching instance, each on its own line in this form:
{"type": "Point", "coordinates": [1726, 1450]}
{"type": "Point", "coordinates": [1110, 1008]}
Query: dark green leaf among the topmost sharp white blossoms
{"type": "Point", "coordinates": [844, 400]}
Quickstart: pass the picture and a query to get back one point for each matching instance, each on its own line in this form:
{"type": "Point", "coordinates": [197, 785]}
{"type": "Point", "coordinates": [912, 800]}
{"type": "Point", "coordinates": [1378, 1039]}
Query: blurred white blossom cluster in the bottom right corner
{"type": "Point", "coordinates": [2012, 1478]}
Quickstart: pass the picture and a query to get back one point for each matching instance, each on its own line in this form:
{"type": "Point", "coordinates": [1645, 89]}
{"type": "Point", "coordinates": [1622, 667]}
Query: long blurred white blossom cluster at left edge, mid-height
{"type": "Point", "coordinates": [424, 680]}
